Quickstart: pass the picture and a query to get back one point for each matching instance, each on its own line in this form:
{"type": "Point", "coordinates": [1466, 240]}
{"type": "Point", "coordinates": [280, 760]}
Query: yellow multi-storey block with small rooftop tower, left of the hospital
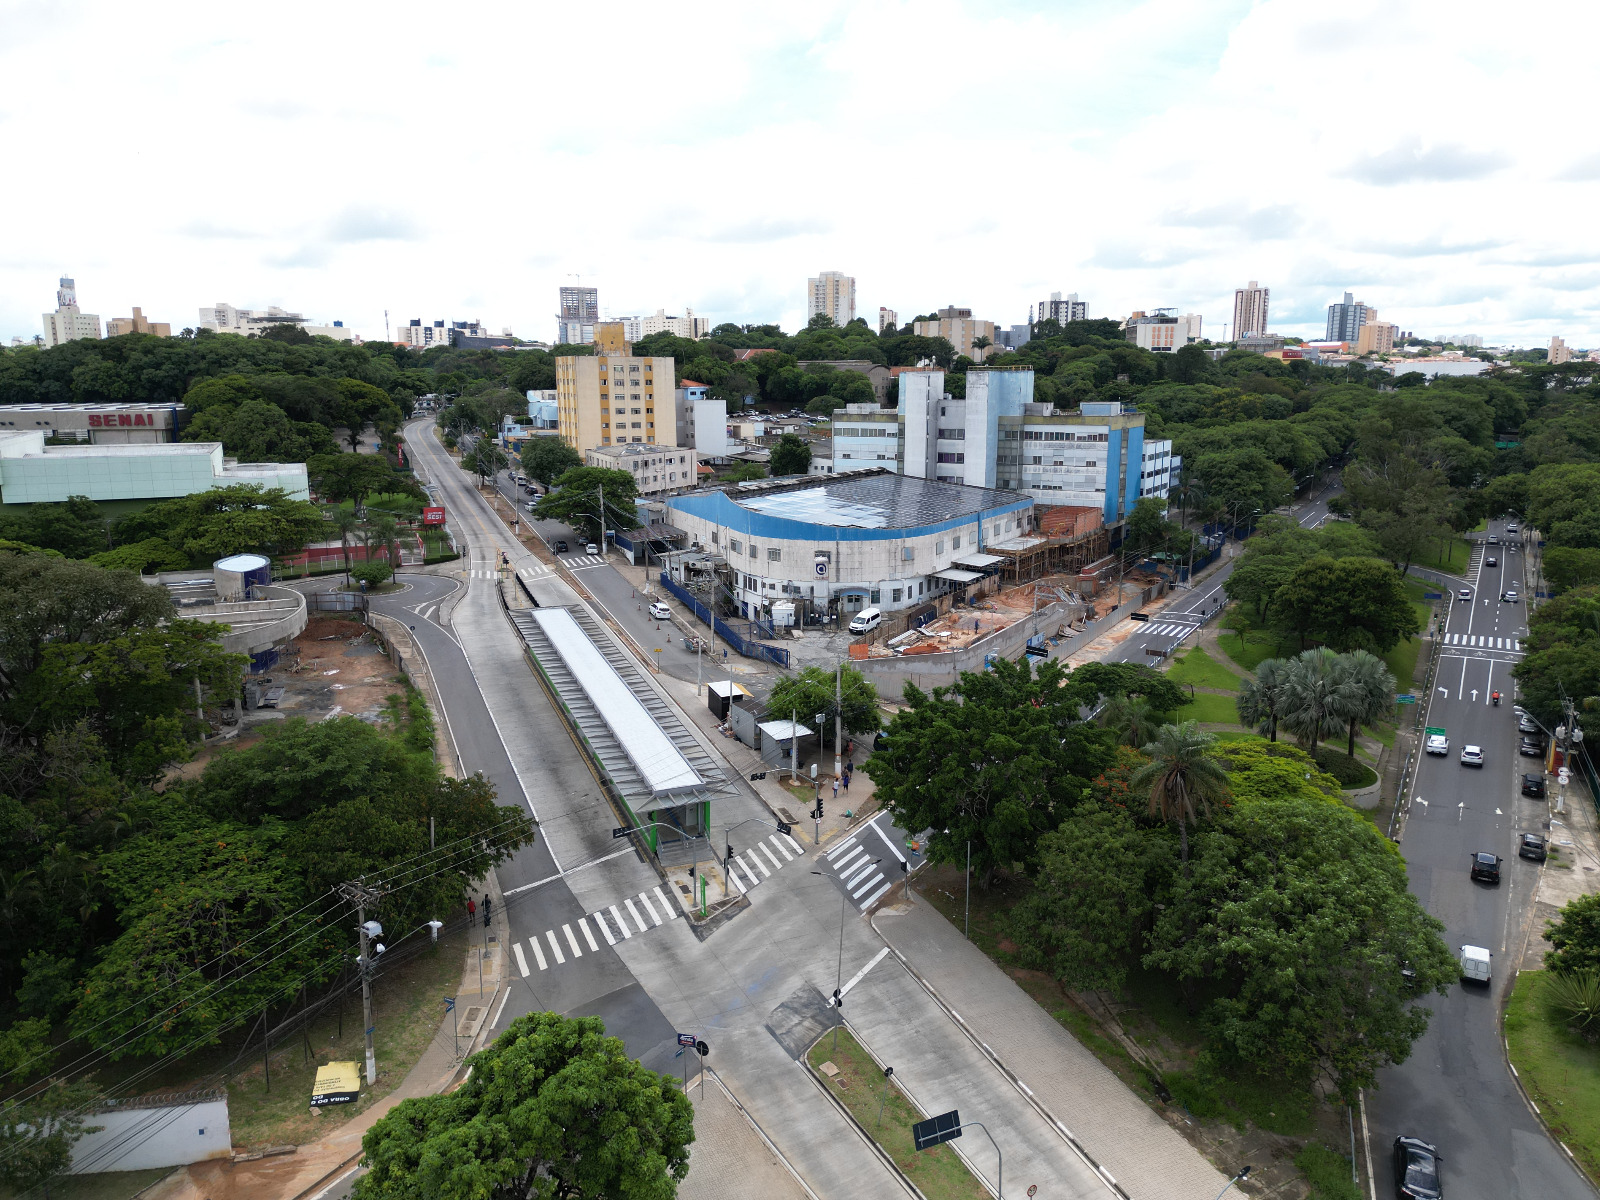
{"type": "Point", "coordinates": [609, 398]}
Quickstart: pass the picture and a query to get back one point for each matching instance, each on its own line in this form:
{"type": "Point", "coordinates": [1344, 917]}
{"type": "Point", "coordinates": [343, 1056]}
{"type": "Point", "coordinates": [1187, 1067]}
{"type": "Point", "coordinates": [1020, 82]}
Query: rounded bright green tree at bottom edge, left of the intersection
{"type": "Point", "coordinates": [553, 1110]}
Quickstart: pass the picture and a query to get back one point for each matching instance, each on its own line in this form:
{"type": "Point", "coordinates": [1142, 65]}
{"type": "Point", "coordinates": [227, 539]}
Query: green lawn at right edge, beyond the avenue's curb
{"type": "Point", "coordinates": [1558, 1068]}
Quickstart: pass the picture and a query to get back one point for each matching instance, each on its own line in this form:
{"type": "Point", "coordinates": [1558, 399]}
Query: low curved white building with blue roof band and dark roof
{"type": "Point", "coordinates": [868, 540]}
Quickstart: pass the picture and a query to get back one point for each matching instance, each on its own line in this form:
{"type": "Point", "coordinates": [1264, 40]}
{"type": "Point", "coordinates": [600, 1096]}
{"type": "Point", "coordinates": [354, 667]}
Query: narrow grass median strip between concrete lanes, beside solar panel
{"type": "Point", "coordinates": [860, 1087]}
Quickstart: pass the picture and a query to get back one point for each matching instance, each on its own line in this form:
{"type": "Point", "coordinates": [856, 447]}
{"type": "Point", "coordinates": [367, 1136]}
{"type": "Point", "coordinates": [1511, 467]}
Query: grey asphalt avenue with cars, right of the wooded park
{"type": "Point", "coordinates": [1455, 1090]}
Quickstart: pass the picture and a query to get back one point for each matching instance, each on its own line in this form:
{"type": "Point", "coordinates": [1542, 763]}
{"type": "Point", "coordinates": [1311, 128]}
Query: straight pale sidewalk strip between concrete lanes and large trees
{"type": "Point", "coordinates": [1113, 1126]}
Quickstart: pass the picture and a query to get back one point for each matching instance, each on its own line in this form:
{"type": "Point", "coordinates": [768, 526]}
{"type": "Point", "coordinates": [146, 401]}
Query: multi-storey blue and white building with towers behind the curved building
{"type": "Point", "coordinates": [999, 438]}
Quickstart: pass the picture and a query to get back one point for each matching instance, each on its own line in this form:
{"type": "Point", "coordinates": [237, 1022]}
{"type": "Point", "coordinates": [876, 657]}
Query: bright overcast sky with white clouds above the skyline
{"type": "Point", "coordinates": [1441, 161]}
